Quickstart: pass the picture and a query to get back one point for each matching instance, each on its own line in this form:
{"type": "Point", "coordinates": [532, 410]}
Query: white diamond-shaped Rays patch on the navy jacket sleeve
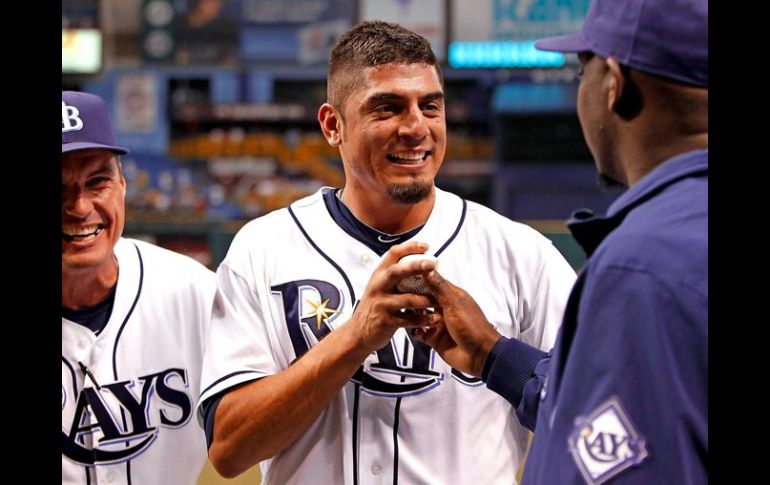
{"type": "Point", "coordinates": [605, 443]}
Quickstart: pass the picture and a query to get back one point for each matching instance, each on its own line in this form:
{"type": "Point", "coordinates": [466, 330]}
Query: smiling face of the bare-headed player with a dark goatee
{"type": "Point", "coordinates": [391, 131]}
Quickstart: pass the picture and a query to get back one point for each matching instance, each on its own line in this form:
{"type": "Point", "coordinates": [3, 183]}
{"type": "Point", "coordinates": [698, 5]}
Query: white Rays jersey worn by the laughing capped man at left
{"type": "Point", "coordinates": [129, 392]}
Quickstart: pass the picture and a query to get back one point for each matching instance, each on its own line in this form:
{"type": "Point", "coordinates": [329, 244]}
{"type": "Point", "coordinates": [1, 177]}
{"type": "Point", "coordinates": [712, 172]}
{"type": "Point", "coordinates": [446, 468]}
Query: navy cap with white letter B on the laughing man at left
{"type": "Point", "coordinates": [85, 123]}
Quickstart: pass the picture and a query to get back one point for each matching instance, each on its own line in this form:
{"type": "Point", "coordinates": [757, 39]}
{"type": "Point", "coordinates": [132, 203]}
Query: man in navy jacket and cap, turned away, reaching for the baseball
{"type": "Point", "coordinates": [622, 396]}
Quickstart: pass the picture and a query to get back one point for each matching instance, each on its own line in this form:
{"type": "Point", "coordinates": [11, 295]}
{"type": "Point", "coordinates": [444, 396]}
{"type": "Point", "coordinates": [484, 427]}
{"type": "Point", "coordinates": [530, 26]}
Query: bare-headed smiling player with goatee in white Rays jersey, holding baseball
{"type": "Point", "coordinates": [308, 369]}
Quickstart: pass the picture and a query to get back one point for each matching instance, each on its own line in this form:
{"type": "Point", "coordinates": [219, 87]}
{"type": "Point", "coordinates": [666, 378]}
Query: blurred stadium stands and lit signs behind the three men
{"type": "Point", "coordinates": [217, 101]}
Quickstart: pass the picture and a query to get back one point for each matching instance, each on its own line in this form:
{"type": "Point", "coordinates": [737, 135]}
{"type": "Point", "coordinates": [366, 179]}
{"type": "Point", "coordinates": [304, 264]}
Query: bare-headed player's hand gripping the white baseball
{"type": "Point", "coordinates": [378, 314]}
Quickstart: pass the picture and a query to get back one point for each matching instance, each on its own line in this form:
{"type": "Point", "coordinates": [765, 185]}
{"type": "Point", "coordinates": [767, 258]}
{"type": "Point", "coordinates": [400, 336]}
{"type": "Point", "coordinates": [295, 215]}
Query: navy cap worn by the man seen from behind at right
{"type": "Point", "coordinates": [668, 38]}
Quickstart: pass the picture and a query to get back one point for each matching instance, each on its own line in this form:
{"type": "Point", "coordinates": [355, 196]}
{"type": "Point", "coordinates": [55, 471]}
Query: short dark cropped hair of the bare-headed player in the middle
{"type": "Point", "coordinates": [369, 44]}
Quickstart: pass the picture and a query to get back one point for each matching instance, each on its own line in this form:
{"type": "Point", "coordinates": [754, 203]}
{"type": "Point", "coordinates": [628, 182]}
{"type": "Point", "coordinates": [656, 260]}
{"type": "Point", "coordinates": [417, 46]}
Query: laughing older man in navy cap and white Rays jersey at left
{"type": "Point", "coordinates": [134, 320]}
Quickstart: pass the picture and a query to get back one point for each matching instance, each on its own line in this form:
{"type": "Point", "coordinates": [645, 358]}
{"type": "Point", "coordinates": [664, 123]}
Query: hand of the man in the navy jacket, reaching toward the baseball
{"type": "Point", "coordinates": [463, 337]}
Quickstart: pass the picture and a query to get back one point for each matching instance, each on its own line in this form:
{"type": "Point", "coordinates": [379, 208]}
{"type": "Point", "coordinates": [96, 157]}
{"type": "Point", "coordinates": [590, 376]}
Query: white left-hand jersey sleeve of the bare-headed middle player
{"type": "Point", "coordinates": [238, 349]}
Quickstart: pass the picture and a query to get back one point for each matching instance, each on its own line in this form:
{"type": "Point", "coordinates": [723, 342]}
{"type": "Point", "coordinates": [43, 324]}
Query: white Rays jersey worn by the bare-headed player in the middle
{"type": "Point", "coordinates": [406, 416]}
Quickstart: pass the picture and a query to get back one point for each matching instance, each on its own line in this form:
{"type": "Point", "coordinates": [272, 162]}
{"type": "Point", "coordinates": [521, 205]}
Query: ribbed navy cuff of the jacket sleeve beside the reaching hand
{"type": "Point", "coordinates": [510, 364]}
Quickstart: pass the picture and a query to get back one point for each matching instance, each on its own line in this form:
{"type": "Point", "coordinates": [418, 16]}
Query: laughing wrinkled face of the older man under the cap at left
{"type": "Point", "coordinates": [93, 209]}
